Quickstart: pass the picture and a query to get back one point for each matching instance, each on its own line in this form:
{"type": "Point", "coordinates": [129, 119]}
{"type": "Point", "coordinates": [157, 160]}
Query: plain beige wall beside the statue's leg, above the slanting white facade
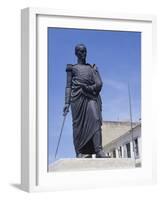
{"type": "Point", "coordinates": [111, 130]}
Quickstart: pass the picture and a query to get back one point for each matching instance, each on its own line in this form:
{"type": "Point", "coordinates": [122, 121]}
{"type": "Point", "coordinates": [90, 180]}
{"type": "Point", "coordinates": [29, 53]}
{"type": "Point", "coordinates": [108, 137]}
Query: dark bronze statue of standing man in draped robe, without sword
{"type": "Point", "coordinates": [83, 94]}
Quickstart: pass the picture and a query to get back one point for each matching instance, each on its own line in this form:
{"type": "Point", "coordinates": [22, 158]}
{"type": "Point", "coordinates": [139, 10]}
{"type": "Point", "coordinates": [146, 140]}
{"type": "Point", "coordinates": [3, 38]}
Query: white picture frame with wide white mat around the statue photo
{"type": "Point", "coordinates": [34, 175]}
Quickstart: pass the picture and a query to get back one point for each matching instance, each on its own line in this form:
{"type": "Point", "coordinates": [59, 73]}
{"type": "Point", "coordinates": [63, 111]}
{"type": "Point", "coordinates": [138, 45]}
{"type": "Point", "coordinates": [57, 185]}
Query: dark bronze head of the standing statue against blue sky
{"type": "Point", "coordinates": [81, 51]}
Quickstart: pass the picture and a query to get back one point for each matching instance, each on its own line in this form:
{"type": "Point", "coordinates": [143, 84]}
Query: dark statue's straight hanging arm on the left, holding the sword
{"type": "Point", "coordinates": [68, 89]}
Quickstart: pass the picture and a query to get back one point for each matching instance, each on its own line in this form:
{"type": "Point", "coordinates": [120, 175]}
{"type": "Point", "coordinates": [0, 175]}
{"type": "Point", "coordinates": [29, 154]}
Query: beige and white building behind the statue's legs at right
{"type": "Point", "coordinates": [120, 141]}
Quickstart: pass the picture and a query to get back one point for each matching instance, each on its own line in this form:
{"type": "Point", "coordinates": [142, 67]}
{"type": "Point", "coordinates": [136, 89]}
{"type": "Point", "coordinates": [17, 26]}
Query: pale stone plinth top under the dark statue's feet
{"type": "Point", "coordinates": [79, 164]}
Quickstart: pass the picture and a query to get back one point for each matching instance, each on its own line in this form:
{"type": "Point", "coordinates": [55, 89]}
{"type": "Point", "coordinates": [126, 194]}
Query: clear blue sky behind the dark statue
{"type": "Point", "coordinates": [117, 54]}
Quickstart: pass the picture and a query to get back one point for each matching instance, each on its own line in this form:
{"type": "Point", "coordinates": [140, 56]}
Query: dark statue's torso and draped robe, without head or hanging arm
{"type": "Point", "coordinates": [86, 106]}
